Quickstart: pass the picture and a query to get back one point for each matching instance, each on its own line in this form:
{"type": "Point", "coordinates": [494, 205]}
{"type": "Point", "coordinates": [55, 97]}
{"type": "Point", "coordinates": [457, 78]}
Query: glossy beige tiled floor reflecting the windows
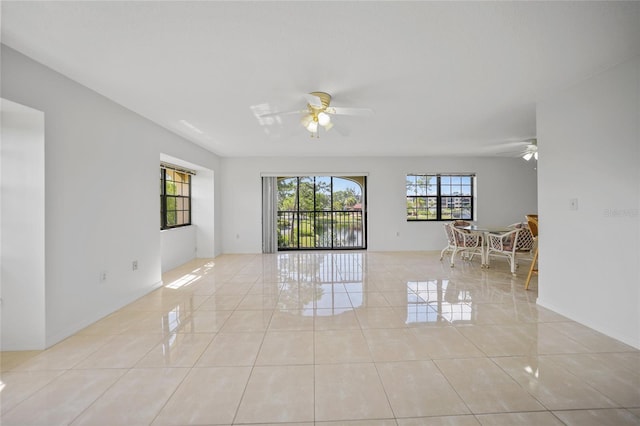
{"type": "Point", "coordinates": [343, 338]}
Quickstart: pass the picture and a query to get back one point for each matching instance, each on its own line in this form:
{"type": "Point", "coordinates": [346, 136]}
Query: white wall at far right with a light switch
{"type": "Point", "coordinates": [589, 141]}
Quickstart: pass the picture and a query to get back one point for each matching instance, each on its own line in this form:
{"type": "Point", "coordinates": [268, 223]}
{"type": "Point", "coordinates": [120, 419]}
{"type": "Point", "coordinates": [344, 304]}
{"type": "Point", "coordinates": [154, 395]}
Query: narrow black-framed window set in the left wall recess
{"type": "Point", "coordinates": [175, 197]}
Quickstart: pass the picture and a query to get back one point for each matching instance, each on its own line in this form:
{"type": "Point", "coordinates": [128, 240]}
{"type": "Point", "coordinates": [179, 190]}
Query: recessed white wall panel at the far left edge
{"type": "Point", "coordinates": [22, 218]}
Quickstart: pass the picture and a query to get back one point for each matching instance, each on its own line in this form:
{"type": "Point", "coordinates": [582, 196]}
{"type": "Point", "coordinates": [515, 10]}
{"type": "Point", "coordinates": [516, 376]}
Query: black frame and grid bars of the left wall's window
{"type": "Point", "coordinates": [165, 198]}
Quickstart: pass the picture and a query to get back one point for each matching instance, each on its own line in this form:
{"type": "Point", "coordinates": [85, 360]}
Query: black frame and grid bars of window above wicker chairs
{"type": "Point", "coordinates": [438, 201]}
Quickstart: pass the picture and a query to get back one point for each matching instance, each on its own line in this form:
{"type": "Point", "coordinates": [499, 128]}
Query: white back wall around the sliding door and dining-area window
{"type": "Point", "coordinates": [506, 191]}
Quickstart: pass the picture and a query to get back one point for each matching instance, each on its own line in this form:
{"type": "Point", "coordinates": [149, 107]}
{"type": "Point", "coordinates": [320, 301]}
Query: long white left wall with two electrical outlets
{"type": "Point", "coordinates": [101, 195]}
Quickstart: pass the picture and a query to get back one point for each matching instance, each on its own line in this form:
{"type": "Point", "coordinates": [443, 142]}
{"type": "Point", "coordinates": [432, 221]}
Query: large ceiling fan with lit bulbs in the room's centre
{"type": "Point", "coordinates": [319, 111]}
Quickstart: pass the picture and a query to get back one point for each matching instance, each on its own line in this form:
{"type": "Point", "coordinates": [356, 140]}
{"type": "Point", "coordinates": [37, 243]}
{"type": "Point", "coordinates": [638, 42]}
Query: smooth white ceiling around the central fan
{"type": "Point", "coordinates": [444, 78]}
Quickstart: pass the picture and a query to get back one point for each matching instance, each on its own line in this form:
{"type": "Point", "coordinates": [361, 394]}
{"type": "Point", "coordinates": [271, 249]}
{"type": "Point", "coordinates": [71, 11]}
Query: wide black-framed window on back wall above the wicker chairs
{"type": "Point", "coordinates": [439, 197]}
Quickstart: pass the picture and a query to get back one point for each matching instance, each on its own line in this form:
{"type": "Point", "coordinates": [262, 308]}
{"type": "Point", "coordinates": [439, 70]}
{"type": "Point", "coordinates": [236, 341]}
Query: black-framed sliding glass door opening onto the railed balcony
{"type": "Point", "coordinates": [321, 212]}
